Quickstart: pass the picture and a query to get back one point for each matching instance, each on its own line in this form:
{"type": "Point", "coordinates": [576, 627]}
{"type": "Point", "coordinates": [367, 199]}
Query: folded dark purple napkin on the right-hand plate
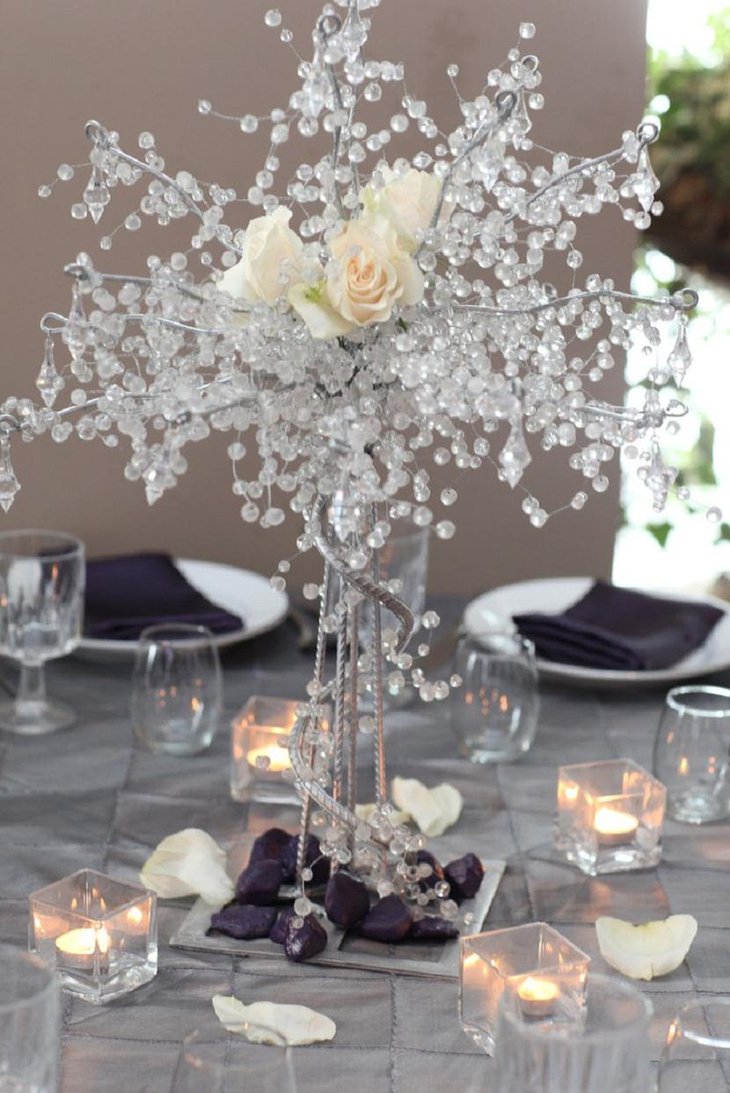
{"type": "Point", "coordinates": [620, 630]}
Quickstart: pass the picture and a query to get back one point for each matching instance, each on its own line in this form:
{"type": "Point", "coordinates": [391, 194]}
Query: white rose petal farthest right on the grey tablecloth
{"type": "Point", "coordinates": [643, 953]}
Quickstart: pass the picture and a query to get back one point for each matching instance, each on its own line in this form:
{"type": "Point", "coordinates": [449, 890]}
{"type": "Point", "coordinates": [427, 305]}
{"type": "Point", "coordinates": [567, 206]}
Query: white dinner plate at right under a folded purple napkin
{"type": "Point", "coordinates": [494, 612]}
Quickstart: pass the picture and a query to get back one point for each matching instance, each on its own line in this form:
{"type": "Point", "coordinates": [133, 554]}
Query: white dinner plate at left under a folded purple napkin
{"type": "Point", "coordinates": [240, 592]}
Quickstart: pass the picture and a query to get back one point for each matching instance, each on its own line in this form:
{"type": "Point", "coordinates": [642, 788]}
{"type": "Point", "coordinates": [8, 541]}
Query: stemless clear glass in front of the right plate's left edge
{"type": "Point", "coordinates": [494, 713]}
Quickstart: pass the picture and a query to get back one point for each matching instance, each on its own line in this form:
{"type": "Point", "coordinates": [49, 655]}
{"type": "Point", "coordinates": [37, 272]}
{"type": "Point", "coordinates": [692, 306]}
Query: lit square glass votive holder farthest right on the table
{"type": "Point", "coordinates": [610, 817]}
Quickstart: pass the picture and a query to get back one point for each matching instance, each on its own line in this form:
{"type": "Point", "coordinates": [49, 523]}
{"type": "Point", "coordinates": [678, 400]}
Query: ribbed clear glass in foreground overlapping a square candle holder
{"type": "Point", "coordinates": [608, 1051]}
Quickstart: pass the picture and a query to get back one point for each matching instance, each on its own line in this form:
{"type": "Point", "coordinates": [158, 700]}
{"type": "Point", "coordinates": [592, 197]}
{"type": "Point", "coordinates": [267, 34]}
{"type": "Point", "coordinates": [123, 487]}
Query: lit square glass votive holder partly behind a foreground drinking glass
{"type": "Point", "coordinates": [544, 971]}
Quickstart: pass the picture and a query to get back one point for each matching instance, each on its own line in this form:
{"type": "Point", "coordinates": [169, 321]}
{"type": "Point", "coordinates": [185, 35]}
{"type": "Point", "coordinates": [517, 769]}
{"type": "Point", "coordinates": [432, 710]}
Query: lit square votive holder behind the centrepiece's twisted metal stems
{"type": "Point", "coordinates": [261, 767]}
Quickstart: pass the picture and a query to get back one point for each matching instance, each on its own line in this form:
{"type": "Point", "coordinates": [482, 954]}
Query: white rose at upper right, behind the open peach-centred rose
{"type": "Point", "coordinates": [408, 202]}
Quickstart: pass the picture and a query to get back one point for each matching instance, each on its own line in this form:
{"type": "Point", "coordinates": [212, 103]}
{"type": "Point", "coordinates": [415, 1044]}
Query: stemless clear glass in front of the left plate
{"type": "Point", "coordinates": [178, 689]}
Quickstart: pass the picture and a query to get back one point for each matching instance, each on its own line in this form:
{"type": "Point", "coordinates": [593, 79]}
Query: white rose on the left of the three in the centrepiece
{"type": "Point", "coordinates": [272, 261]}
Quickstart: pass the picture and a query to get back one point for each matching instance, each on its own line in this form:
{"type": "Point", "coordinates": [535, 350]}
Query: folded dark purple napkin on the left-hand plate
{"type": "Point", "coordinates": [129, 593]}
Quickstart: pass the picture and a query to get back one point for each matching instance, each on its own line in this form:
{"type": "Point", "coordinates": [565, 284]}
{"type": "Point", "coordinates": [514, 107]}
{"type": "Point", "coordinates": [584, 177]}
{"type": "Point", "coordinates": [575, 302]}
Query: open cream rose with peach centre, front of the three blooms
{"type": "Point", "coordinates": [370, 273]}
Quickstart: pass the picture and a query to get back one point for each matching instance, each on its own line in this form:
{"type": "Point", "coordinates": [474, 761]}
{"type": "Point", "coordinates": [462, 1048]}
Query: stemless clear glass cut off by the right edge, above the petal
{"type": "Point", "coordinates": [692, 754]}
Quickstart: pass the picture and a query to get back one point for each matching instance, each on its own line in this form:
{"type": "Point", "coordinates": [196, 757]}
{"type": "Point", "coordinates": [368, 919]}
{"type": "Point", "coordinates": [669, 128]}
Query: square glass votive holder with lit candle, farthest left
{"type": "Point", "coordinates": [100, 934]}
